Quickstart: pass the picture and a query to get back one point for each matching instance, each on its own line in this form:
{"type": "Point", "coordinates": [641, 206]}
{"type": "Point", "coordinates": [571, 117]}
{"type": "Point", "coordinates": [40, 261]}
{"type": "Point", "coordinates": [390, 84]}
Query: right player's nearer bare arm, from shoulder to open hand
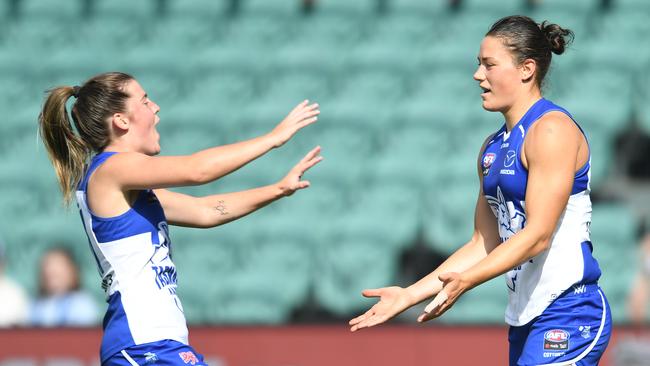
{"type": "Point", "coordinates": [551, 149]}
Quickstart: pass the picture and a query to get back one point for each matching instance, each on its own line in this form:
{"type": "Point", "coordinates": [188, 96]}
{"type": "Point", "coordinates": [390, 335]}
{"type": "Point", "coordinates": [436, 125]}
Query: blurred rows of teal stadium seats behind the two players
{"type": "Point", "coordinates": [400, 128]}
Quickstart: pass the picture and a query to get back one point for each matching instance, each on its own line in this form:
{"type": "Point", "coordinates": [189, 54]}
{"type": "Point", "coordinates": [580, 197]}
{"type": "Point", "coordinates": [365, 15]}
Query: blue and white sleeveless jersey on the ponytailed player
{"type": "Point", "coordinates": [133, 254]}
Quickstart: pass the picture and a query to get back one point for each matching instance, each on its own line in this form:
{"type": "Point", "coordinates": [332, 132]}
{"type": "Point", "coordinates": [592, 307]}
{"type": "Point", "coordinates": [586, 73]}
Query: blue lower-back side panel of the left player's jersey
{"type": "Point", "coordinates": [117, 335]}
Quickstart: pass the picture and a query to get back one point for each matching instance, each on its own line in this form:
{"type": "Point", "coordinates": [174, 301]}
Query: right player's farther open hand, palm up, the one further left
{"type": "Point", "coordinates": [392, 301]}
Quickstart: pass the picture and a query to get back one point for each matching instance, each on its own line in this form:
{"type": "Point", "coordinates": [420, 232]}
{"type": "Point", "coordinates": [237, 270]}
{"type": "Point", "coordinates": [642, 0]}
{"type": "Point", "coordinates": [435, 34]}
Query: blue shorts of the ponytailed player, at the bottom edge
{"type": "Point", "coordinates": [165, 352]}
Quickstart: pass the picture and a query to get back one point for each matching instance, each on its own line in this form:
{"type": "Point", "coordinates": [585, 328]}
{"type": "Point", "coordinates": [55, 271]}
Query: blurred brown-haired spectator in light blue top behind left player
{"type": "Point", "coordinates": [61, 301]}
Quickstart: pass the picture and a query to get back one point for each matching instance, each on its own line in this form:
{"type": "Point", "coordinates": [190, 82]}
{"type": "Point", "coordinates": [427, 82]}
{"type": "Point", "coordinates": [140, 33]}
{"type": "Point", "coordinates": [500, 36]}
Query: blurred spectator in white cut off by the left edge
{"type": "Point", "coordinates": [13, 311]}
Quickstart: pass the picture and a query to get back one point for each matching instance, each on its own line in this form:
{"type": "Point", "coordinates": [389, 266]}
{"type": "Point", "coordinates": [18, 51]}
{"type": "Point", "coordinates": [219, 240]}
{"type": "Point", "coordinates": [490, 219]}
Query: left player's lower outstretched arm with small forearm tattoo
{"type": "Point", "coordinates": [185, 210]}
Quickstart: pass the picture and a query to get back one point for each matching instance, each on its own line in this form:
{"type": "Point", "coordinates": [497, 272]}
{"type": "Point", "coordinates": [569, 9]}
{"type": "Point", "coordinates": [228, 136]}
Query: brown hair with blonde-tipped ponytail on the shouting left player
{"type": "Point", "coordinates": [69, 149]}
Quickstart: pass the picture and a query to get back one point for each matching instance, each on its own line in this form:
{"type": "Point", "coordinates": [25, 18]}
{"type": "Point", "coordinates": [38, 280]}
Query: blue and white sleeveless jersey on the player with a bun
{"type": "Point", "coordinates": [533, 285]}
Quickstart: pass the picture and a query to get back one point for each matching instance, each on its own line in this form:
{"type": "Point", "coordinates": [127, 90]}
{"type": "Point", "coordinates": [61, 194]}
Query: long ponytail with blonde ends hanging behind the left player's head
{"type": "Point", "coordinates": [67, 151]}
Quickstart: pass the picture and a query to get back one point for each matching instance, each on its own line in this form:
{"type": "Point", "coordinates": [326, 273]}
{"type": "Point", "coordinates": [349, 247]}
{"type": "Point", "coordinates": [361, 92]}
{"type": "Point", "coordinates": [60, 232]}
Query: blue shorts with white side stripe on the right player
{"type": "Point", "coordinates": [573, 330]}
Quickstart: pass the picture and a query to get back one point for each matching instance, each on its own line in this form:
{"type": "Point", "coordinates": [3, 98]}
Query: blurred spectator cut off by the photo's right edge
{"type": "Point", "coordinates": [639, 294]}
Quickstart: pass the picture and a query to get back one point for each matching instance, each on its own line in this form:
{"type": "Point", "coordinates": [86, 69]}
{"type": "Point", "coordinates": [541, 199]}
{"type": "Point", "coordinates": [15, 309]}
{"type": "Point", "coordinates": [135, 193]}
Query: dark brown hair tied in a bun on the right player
{"type": "Point", "coordinates": [528, 40]}
